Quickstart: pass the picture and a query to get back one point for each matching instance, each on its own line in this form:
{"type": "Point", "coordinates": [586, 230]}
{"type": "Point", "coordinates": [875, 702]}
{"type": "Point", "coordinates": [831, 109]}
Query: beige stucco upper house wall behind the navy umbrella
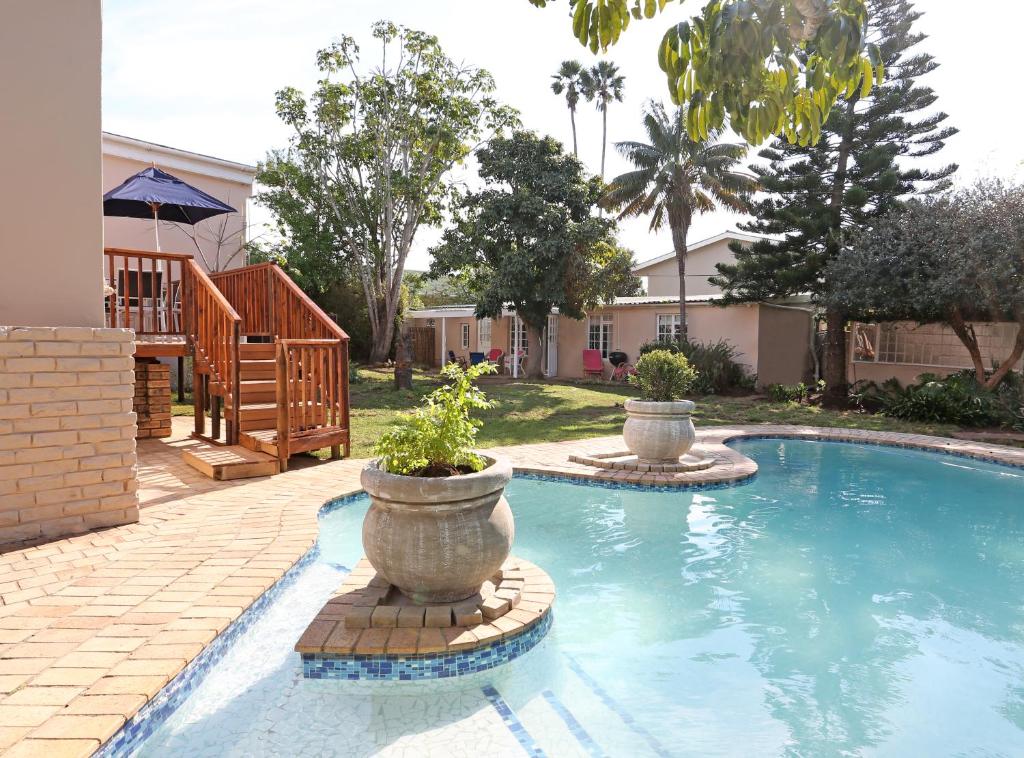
{"type": "Point", "coordinates": [138, 234]}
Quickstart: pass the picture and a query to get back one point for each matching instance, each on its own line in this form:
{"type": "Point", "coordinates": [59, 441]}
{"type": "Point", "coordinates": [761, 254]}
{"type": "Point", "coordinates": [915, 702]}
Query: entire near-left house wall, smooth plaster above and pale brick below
{"type": "Point", "coordinates": [67, 427]}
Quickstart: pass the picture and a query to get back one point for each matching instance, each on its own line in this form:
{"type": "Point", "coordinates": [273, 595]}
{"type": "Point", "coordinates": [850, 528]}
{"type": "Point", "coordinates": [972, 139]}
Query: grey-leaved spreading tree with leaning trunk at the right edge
{"type": "Point", "coordinates": [954, 261]}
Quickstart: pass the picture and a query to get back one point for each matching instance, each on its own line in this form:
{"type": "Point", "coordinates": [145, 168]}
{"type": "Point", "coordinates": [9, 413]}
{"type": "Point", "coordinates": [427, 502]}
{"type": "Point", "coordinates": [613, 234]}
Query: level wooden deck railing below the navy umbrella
{"type": "Point", "coordinates": [148, 292]}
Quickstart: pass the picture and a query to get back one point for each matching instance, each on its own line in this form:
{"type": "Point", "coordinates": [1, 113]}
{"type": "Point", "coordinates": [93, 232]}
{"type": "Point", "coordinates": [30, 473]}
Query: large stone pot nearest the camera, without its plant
{"type": "Point", "coordinates": [438, 539]}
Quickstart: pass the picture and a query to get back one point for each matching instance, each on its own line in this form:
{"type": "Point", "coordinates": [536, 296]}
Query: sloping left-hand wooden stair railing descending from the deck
{"type": "Point", "coordinates": [214, 327]}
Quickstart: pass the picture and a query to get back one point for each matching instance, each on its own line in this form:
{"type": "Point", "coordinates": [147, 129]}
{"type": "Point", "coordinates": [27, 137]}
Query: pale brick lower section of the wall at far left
{"type": "Point", "coordinates": [67, 432]}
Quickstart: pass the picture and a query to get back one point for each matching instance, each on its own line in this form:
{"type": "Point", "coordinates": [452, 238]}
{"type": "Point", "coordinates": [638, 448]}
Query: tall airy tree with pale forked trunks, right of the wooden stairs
{"type": "Point", "coordinates": [382, 144]}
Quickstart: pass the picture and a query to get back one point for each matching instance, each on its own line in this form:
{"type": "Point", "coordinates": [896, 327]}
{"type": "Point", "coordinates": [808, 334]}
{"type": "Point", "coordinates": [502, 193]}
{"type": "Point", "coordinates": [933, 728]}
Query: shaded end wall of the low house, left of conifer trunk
{"type": "Point", "coordinates": [784, 346]}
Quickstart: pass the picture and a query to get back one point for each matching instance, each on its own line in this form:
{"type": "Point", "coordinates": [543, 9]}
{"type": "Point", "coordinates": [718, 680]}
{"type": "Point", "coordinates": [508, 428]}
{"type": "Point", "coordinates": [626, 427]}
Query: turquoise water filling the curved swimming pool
{"type": "Point", "coordinates": [848, 601]}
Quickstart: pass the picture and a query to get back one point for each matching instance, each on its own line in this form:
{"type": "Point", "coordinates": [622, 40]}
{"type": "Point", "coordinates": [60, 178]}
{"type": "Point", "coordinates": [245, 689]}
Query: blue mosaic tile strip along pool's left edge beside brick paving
{"type": "Point", "coordinates": [157, 711]}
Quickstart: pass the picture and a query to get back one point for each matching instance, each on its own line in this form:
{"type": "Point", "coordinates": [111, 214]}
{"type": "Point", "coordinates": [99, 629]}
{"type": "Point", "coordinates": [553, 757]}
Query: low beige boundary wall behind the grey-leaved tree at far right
{"type": "Point", "coordinates": [905, 351]}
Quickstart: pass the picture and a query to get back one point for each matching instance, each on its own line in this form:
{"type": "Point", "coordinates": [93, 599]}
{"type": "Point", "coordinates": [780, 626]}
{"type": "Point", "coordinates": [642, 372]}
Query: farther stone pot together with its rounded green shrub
{"type": "Point", "coordinates": [659, 429]}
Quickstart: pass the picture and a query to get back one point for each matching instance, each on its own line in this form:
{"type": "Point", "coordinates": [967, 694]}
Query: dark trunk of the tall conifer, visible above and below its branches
{"type": "Point", "coordinates": [837, 389]}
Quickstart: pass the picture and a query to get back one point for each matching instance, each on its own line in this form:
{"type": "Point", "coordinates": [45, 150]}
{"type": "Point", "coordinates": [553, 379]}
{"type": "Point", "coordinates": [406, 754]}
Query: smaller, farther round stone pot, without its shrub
{"type": "Point", "coordinates": [659, 433]}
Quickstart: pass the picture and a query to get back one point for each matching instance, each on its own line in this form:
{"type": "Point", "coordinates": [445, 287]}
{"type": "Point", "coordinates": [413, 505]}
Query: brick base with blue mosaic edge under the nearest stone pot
{"type": "Point", "coordinates": [370, 631]}
